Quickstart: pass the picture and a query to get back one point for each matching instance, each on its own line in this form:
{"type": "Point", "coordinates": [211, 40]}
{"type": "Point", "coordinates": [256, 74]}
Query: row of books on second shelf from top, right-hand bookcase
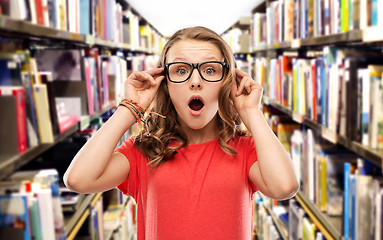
{"type": "Point", "coordinates": [342, 90]}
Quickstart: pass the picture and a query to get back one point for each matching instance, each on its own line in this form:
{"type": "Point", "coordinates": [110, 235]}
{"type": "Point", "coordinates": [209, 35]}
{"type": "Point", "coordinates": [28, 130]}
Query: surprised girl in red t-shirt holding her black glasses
{"type": "Point", "coordinates": [191, 171]}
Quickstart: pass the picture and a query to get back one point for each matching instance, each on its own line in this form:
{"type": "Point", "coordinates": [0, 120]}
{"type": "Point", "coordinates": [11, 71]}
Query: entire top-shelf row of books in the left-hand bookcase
{"type": "Point", "coordinates": [102, 19]}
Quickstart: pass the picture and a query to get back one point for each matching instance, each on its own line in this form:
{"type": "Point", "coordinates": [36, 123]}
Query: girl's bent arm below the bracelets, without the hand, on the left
{"type": "Point", "coordinates": [95, 168]}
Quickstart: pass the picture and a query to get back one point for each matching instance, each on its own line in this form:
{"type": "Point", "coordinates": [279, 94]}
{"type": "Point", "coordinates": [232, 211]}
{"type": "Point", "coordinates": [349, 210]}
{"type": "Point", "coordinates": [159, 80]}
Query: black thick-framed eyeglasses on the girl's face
{"type": "Point", "coordinates": [179, 72]}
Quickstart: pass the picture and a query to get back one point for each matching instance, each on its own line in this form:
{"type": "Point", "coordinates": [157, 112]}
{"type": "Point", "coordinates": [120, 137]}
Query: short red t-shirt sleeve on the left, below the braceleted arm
{"type": "Point", "coordinates": [130, 185]}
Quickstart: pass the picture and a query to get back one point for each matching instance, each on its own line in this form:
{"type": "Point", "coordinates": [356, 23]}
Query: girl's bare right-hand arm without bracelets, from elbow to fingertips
{"type": "Point", "coordinates": [273, 173]}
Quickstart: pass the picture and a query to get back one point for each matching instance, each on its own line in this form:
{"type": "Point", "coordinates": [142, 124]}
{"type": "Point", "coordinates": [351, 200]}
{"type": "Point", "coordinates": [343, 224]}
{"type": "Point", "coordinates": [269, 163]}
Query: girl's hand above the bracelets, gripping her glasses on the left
{"type": "Point", "coordinates": [141, 87]}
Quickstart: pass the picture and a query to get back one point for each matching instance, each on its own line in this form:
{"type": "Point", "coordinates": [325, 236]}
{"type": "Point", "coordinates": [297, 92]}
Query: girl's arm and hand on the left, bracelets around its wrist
{"type": "Point", "coordinates": [95, 168]}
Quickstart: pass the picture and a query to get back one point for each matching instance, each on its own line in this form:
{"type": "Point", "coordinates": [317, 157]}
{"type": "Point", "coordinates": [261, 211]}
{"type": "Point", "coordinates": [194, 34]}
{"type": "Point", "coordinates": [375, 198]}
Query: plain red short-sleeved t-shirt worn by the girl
{"type": "Point", "coordinates": [203, 193]}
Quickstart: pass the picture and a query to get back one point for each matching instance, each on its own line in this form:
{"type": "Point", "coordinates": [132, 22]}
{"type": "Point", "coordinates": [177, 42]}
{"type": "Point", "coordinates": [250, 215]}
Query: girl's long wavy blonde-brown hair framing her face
{"type": "Point", "coordinates": [154, 142]}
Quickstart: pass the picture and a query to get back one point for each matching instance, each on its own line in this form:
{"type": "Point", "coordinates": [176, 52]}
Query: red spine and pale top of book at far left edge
{"type": "Point", "coordinates": [21, 121]}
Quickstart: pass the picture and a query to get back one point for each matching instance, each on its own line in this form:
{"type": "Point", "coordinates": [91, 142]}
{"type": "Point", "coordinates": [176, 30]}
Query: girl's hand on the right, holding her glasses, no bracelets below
{"type": "Point", "coordinates": [247, 93]}
